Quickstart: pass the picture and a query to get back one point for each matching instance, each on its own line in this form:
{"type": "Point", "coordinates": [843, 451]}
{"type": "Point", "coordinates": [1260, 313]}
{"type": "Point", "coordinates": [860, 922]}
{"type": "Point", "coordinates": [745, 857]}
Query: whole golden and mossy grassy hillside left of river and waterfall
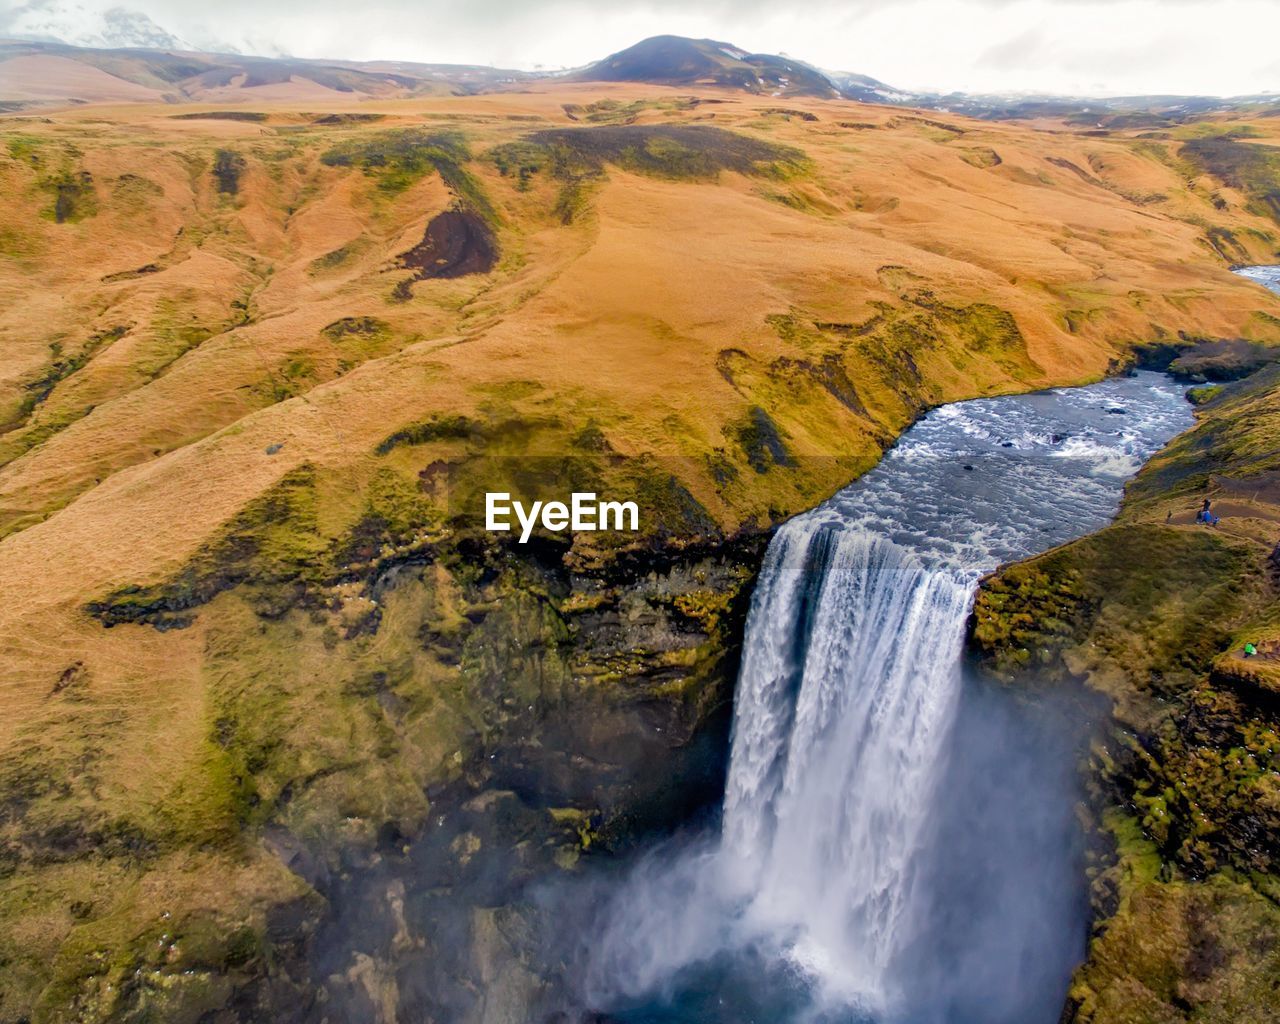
{"type": "Point", "coordinates": [260, 369]}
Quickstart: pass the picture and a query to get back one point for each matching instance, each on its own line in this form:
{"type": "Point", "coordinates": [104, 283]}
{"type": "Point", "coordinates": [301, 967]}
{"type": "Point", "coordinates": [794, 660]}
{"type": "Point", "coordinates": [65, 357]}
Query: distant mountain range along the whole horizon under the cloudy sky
{"type": "Point", "coordinates": [130, 48]}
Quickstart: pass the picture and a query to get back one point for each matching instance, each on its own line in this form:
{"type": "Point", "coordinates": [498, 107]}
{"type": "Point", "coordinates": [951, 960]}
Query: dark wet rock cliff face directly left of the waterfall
{"type": "Point", "coordinates": [604, 714]}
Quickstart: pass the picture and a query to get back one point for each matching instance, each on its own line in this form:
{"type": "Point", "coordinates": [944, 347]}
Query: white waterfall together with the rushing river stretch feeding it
{"type": "Point", "coordinates": [849, 691]}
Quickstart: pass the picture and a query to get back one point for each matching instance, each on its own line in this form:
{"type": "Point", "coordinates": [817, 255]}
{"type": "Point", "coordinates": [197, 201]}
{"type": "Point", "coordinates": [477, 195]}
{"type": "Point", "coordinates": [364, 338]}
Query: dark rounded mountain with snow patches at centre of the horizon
{"type": "Point", "coordinates": [675, 61]}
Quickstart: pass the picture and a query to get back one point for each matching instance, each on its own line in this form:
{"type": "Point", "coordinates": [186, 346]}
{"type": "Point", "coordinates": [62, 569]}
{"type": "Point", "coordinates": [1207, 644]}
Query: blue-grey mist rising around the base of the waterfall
{"type": "Point", "coordinates": [999, 903]}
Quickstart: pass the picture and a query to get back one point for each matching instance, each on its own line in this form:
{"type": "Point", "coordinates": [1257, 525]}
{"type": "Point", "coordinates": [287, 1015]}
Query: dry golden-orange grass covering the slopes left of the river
{"type": "Point", "coordinates": [666, 316]}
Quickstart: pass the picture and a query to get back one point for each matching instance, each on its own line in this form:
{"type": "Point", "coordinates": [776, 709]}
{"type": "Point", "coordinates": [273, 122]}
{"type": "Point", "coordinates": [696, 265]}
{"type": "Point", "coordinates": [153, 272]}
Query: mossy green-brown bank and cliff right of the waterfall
{"type": "Point", "coordinates": [1151, 615]}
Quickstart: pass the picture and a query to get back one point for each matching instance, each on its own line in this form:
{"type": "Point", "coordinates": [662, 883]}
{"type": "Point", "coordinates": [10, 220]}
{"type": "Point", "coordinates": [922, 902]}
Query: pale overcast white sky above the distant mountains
{"type": "Point", "coordinates": [1085, 48]}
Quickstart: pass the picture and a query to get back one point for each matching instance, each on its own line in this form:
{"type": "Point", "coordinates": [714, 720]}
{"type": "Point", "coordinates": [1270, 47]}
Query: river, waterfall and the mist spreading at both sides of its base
{"type": "Point", "coordinates": [866, 836]}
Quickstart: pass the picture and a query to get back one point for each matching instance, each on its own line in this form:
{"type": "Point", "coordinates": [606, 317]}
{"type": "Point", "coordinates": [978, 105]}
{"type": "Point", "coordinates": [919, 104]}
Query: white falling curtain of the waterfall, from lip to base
{"type": "Point", "coordinates": [849, 683]}
